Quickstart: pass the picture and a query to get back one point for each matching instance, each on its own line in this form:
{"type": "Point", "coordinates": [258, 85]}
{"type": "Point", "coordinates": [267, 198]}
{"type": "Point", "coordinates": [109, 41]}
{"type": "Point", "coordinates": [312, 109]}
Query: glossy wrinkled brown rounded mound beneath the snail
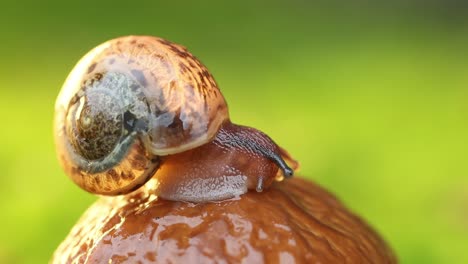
{"type": "Point", "coordinates": [293, 221]}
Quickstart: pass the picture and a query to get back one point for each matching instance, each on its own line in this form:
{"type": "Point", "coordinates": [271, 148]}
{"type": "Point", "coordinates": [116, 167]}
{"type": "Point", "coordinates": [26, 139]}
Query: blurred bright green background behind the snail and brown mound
{"type": "Point", "coordinates": [371, 98]}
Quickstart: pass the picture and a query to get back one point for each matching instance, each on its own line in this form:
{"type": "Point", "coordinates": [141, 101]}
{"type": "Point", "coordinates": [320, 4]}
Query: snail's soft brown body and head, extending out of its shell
{"type": "Point", "coordinates": [211, 172]}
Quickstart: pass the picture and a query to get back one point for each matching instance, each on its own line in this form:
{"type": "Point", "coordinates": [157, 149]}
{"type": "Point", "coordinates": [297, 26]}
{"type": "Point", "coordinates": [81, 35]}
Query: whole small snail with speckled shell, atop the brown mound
{"type": "Point", "coordinates": [141, 107]}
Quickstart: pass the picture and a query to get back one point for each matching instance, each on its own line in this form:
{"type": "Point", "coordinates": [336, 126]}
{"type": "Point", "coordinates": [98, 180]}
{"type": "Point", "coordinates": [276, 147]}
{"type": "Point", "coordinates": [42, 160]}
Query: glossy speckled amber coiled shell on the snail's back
{"type": "Point", "coordinates": [128, 101]}
